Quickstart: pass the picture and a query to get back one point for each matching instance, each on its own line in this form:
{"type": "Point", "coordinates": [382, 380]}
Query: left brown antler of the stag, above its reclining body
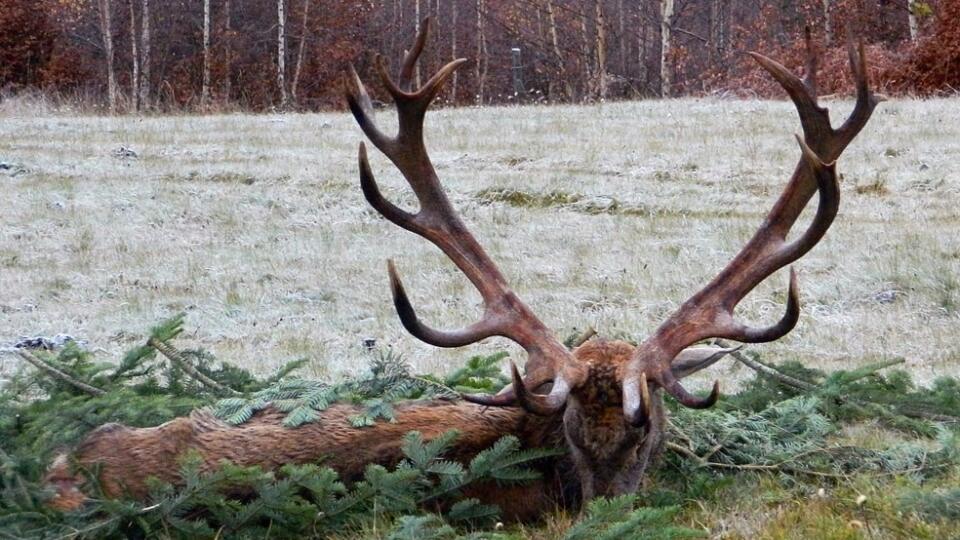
{"type": "Point", "coordinates": [504, 313]}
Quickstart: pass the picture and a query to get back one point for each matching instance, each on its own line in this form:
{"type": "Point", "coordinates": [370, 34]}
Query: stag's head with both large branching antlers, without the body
{"type": "Point", "coordinates": [608, 393]}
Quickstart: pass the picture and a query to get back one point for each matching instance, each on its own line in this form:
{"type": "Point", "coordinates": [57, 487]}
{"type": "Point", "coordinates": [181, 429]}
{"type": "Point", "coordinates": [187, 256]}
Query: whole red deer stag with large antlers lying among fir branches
{"type": "Point", "coordinates": [601, 400]}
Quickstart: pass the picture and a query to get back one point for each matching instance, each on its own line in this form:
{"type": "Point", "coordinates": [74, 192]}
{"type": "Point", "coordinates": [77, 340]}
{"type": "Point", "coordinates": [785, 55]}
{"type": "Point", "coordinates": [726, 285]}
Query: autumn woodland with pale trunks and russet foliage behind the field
{"type": "Point", "coordinates": [132, 55]}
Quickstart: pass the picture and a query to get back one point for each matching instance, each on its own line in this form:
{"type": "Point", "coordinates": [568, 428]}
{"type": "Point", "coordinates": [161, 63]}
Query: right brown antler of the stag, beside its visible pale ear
{"type": "Point", "coordinates": [709, 313]}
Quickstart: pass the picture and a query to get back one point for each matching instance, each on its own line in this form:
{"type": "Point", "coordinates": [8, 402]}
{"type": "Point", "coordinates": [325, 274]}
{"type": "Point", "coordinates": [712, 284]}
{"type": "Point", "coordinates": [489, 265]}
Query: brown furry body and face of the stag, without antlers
{"type": "Point", "coordinates": [127, 457]}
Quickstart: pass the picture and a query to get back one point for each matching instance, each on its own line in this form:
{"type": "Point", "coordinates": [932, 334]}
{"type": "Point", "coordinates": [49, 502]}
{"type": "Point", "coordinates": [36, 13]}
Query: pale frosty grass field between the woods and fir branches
{"type": "Point", "coordinates": [607, 215]}
